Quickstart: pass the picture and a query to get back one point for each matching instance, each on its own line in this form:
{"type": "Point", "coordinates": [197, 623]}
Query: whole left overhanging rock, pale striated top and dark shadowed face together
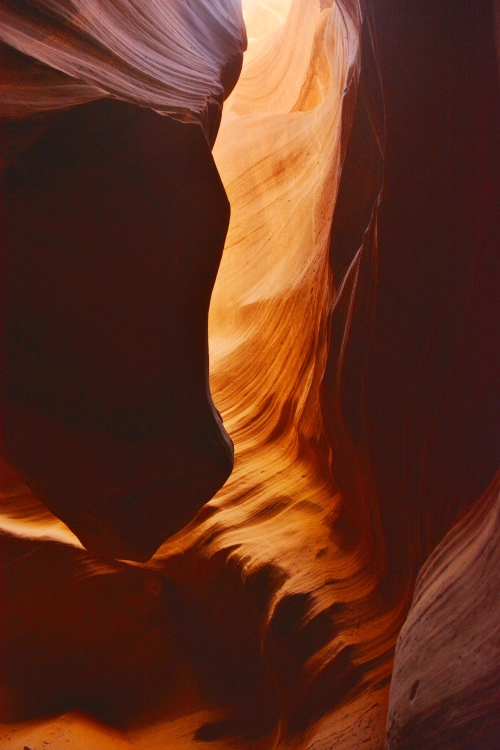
{"type": "Point", "coordinates": [115, 221]}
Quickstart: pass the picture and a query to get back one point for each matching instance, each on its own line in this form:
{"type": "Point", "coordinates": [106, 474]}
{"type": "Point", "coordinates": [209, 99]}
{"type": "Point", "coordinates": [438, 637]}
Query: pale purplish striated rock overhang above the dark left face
{"type": "Point", "coordinates": [166, 56]}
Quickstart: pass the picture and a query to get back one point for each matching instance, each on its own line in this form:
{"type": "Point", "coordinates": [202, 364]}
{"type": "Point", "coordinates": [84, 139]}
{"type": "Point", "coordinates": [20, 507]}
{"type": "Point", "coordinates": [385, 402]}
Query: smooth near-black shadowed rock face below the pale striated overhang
{"type": "Point", "coordinates": [115, 220]}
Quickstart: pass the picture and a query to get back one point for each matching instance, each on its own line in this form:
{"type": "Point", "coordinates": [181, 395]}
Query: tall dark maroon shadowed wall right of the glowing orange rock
{"type": "Point", "coordinates": [414, 380]}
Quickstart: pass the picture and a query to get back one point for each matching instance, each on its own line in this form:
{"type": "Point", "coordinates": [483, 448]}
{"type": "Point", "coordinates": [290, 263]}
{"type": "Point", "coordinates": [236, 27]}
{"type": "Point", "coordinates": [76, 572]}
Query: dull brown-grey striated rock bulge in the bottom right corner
{"type": "Point", "coordinates": [446, 684]}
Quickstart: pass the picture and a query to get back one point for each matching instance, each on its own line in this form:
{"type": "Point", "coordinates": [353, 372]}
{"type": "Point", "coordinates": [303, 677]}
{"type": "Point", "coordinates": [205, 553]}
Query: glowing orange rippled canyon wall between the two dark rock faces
{"type": "Point", "coordinates": [326, 624]}
